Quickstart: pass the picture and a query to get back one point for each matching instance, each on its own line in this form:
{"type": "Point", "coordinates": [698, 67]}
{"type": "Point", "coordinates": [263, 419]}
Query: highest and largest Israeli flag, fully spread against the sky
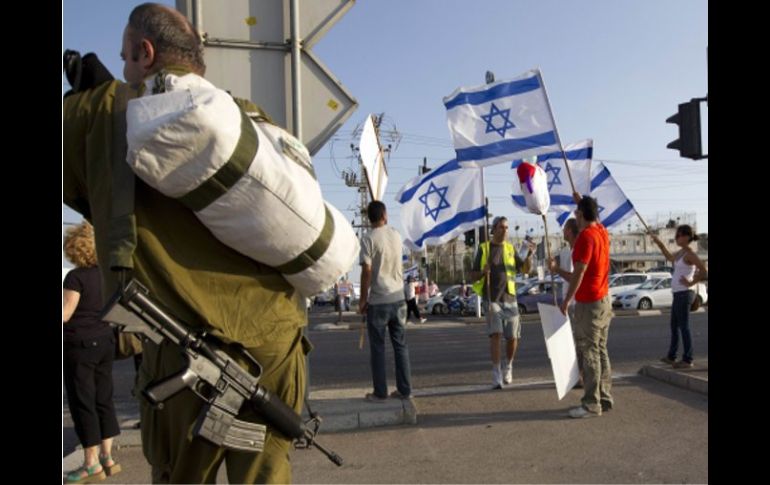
{"type": "Point", "coordinates": [495, 123]}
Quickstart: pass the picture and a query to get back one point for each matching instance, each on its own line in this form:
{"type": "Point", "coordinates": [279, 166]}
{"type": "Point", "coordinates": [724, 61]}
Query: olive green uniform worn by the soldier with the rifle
{"type": "Point", "coordinates": [204, 283]}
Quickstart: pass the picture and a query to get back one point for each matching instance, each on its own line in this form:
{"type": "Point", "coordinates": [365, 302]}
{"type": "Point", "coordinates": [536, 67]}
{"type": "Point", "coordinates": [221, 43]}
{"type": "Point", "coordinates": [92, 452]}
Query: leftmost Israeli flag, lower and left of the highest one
{"type": "Point", "coordinates": [441, 204]}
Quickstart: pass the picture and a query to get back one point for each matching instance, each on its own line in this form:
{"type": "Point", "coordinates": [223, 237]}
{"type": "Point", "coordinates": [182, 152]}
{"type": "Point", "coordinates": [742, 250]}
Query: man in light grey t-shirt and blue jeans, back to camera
{"type": "Point", "coordinates": [382, 298]}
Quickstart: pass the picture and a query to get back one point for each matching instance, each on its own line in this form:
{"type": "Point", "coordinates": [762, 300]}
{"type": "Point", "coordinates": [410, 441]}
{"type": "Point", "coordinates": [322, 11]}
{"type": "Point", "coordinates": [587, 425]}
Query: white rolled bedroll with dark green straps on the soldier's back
{"type": "Point", "coordinates": [250, 183]}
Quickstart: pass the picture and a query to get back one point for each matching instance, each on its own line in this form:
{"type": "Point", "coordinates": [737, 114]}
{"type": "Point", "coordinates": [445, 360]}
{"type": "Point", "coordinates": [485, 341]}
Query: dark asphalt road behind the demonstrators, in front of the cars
{"type": "Point", "coordinates": [460, 355]}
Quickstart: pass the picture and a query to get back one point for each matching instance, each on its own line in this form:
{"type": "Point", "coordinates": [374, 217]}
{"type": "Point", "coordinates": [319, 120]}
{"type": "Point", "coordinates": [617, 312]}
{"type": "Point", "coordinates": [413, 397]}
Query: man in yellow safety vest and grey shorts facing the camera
{"type": "Point", "coordinates": [494, 270]}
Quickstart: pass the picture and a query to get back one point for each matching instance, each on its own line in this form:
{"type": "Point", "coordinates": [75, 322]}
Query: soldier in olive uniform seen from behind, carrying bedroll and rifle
{"type": "Point", "coordinates": [206, 284]}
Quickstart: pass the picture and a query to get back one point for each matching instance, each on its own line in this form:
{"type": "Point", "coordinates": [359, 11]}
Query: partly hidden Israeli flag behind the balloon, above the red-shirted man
{"type": "Point", "coordinates": [579, 155]}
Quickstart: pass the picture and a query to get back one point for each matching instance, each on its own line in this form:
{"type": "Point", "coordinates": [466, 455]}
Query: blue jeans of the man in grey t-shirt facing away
{"type": "Point", "coordinates": [393, 317]}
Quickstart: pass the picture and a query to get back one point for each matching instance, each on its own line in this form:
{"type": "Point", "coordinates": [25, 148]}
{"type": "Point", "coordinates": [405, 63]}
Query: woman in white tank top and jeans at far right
{"type": "Point", "coordinates": [689, 270]}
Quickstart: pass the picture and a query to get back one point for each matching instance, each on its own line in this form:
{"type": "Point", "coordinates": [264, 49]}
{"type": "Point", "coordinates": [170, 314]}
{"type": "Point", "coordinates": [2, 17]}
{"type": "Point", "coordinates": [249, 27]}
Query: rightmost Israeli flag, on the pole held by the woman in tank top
{"type": "Point", "coordinates": [614, 206]}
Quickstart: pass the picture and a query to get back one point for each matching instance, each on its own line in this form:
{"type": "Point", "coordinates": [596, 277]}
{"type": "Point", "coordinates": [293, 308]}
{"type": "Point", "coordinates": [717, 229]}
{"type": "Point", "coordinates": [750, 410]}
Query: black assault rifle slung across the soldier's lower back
{"type": "Point", "coordinates": [214, 376]}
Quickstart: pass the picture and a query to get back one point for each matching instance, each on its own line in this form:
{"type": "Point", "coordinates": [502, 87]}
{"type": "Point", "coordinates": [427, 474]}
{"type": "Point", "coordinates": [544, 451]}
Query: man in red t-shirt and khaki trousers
{"type": "Point", "coordinates": [589, 286]}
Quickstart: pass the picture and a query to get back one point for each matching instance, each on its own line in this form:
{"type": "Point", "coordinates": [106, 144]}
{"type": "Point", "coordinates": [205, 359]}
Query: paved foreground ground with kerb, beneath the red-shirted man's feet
{"type": "Point", "coordinates": [472, 434]}
